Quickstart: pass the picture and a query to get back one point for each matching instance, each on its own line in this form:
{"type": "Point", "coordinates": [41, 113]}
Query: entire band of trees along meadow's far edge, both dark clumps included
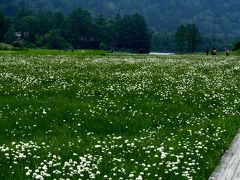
{"type": "Point", "coordinates": [80, 30]}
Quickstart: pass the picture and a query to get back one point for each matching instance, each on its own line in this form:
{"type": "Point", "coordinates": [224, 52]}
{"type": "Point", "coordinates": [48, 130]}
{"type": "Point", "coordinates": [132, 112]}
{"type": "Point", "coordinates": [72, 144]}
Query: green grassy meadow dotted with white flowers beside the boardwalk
{"type": "Point", "coordinates": [116, 117]}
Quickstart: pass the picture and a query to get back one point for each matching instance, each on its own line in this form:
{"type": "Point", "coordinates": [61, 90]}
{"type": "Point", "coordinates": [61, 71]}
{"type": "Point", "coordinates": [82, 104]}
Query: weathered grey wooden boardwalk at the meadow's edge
{"type": "Point", "coordinates": [229, 168]}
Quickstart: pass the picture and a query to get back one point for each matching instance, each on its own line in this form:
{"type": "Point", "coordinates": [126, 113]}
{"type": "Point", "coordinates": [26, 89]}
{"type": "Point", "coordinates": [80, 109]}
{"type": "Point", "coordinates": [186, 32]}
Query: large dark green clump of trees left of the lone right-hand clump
{"type": "Point", "coordinates": [78, 30]}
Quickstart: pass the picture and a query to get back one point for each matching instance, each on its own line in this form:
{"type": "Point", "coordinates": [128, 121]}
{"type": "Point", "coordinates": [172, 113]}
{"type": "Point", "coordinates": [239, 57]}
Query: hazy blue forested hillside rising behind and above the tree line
{"type": "Point", "coordinates": [218, 17]}
